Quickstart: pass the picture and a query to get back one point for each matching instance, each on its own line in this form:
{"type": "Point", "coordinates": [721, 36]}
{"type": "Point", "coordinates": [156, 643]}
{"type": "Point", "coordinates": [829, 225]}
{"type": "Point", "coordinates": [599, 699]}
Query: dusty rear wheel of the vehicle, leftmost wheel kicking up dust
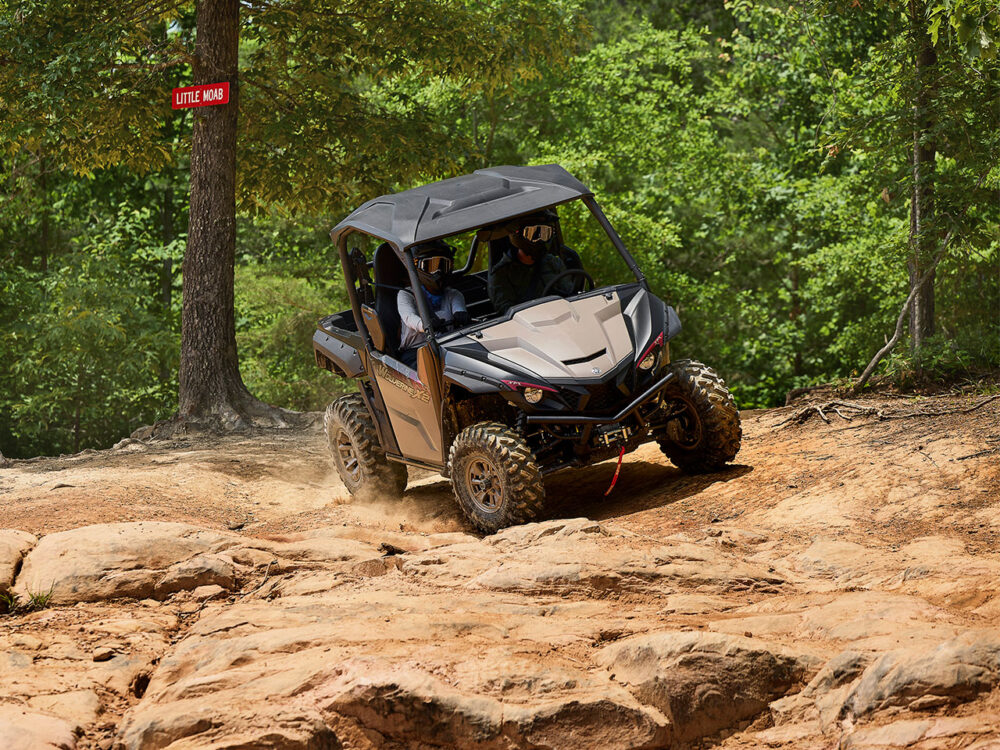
{"type": "Point", "coordinates": [359, 458]}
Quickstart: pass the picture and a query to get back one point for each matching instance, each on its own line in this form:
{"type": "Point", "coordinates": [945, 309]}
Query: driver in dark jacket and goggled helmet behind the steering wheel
{"type": "Point", "coordinates": [531, 264]}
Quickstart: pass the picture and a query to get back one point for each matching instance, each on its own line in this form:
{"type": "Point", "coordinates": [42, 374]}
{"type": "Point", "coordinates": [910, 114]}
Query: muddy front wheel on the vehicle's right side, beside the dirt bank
{"type": "Point", "coordinates": [705, 433]}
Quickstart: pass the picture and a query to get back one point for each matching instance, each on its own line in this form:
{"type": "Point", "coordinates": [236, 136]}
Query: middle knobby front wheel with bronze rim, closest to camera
{"type": "Point", "coordinates": [496, 479]}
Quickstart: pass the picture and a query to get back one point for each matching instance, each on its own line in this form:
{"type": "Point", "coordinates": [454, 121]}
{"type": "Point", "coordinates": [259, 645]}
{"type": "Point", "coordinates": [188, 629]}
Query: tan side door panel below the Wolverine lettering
{"type": "Point", "coordinates": [412, 411]}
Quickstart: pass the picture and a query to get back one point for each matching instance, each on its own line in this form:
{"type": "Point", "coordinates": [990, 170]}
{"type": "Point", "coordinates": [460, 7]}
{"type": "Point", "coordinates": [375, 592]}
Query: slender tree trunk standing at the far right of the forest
{"type": "Point", "coordinates": [922, 241]}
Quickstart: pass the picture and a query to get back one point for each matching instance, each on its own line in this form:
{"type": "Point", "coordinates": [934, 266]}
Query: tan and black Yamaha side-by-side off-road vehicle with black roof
{"type": "Point", "coordinates": [552, 383]}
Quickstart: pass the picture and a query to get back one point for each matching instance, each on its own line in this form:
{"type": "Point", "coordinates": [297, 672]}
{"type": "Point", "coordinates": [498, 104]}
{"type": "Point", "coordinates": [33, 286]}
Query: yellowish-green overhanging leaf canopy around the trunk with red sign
{"type": "Point", "coordinates": [321, 119]}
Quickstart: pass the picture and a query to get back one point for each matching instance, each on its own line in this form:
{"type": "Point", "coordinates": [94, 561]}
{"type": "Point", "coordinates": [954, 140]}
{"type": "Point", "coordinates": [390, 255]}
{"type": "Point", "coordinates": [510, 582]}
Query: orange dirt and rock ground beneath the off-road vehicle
{"type": "Point", "coordinates": [838, 586]}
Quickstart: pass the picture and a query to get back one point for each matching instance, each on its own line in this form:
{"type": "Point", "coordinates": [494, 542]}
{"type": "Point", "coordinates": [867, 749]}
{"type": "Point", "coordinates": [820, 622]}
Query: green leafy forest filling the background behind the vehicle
{"type": "Point", "coordinates": [785, 175]}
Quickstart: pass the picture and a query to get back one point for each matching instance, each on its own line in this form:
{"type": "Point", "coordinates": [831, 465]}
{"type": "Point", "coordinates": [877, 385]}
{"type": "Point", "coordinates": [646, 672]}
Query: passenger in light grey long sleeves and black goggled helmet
{"type": "Point", "coordinates": [434, 262]}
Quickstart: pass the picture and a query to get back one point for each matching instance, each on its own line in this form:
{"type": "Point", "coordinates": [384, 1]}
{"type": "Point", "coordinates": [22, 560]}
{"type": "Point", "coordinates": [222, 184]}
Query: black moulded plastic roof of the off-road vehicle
{"type": "Point", "coordinates": [460, 204]}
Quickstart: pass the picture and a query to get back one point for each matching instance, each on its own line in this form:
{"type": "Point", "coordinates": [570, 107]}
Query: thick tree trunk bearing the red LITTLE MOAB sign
{"type": "Point", "coordinates": [210, 384]}
